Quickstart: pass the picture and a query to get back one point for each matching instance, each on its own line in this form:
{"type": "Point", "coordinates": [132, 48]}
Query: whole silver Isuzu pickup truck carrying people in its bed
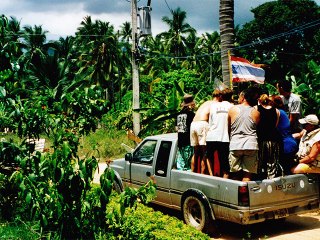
{"type": "Point", "coordinates": [203, 198]}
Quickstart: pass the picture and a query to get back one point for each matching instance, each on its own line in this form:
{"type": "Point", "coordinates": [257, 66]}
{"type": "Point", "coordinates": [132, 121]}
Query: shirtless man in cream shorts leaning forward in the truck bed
{"type": "Point", "coordinates": [198, 132]}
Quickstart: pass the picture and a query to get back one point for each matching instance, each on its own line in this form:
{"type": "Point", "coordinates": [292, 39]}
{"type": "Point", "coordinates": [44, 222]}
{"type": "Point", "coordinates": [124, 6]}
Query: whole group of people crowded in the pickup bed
{"type": "Point", "coordinates": [260, 137]}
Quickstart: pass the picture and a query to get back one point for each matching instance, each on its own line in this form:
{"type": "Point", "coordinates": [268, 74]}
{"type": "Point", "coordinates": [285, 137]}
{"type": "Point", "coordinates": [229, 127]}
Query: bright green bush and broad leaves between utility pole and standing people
{"type": "Point", "coordinates": [167, 91]}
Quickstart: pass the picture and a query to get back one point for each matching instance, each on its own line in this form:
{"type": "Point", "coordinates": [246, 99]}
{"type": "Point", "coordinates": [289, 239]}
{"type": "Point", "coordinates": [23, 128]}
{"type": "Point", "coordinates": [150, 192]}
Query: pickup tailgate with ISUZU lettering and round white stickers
{"type": "Point", "coordinates": [283, 191]}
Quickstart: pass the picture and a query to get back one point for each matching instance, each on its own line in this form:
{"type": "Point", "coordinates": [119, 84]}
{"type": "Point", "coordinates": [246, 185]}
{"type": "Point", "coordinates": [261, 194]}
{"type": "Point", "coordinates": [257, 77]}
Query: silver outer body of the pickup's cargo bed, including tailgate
{"type": "Point", "coordinates": [268, 199]}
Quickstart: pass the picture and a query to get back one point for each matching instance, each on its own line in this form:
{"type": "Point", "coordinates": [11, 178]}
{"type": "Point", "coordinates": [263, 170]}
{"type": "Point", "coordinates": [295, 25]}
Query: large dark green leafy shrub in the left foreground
{"type": "Point", "coordinates": [55, 189]}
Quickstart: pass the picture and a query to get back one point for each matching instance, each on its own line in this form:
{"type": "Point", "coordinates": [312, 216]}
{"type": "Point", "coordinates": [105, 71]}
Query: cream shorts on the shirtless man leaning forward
{"type": "Point", "coordinates": [198, 133]}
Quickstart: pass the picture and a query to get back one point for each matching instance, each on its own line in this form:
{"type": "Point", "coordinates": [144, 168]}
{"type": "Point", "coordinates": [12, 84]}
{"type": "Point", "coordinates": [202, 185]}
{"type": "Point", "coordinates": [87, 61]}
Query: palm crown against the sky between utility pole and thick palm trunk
{"type": "Point", "coordinates": [176, 37]}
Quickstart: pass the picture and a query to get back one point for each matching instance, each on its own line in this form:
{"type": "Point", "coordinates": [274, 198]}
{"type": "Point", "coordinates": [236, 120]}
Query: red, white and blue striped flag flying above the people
{"type": "Point", "coordinates": [245, 71]}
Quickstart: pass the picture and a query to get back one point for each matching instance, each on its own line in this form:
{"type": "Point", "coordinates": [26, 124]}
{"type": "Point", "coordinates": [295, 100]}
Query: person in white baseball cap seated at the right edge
{"type": "Point", "coordinates": [308, 156]}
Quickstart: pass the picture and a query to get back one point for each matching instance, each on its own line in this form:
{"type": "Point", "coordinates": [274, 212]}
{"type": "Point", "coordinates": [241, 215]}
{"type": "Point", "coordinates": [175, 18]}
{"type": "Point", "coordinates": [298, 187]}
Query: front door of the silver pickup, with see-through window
{"type": "Point", "coordinates": [142, 163]}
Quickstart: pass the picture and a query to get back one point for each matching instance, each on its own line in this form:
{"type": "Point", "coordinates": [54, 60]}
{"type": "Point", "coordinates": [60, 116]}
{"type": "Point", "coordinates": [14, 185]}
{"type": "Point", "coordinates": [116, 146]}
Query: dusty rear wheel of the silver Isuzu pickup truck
{"type": "Point", "coordinates": [195, 214]}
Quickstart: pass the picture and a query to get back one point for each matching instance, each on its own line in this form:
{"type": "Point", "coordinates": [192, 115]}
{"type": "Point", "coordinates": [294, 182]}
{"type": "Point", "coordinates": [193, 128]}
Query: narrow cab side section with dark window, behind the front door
{"type": "Point", "coordinates": [161, 173]}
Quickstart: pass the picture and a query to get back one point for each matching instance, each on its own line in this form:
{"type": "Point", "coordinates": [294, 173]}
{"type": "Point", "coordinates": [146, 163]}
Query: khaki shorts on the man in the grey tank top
{"type": "Point", "coordinates": [246, 160]}
